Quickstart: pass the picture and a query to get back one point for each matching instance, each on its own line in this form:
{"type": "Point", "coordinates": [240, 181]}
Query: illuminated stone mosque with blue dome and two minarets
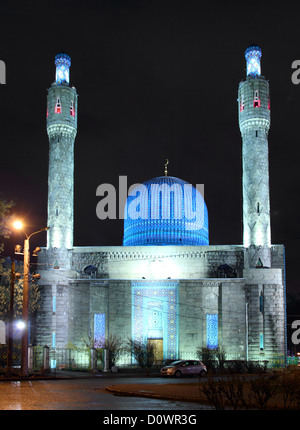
{"type": "Point", "coordinates": [165, 284]}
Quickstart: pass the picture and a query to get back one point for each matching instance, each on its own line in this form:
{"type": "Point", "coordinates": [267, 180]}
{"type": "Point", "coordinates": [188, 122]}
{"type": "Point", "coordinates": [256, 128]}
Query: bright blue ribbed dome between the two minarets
{"type": "Point", "coordinates": [165, 211]}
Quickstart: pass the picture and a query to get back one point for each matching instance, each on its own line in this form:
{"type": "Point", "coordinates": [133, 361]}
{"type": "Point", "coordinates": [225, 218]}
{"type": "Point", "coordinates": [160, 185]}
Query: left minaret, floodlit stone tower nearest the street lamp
{"type": "Point", "coordinates": [61, 129]}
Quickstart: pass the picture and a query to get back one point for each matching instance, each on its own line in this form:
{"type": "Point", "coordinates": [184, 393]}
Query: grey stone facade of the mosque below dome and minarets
{"type": "Point", "coordinates": [250, 303]}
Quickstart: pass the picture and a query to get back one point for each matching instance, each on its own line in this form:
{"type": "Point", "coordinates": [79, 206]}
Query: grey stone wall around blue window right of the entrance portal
{"type": "Point", "coordinates": [199, 298]}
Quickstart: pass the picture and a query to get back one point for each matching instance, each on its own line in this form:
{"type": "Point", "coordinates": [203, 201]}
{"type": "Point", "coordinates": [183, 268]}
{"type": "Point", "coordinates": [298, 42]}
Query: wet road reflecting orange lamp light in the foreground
{"type": "Point", "coordinates": [82, 394]}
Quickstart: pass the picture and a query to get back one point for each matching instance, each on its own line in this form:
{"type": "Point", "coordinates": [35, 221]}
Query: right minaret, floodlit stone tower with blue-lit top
{"type": "Point", "coordinates": [254, 122]}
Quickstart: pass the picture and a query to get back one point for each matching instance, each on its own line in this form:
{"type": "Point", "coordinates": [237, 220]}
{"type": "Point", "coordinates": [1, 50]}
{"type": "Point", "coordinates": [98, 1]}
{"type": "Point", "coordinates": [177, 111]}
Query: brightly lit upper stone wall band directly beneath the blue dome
{"type": "Point", "coordinates": [174, 262]}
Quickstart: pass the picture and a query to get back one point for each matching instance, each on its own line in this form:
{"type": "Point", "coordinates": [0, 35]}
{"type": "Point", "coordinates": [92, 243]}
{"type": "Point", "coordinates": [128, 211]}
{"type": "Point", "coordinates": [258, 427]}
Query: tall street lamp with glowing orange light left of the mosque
{"type": "Point", "coordinates": [24, 349]}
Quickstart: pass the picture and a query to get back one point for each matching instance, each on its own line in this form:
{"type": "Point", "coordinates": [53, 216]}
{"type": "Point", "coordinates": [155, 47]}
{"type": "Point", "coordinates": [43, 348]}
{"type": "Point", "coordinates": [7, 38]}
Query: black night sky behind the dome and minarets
{"type": "Point", "coordinates": [156, 80]}
